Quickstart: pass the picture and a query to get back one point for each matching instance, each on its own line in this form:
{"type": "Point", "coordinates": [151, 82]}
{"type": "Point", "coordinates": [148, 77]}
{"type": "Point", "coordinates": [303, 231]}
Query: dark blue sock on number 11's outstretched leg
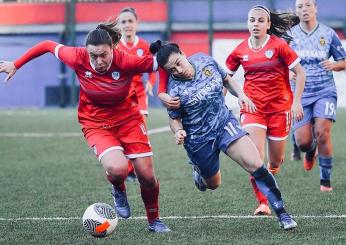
{"type": "Point", "coordinates": [267, 185]}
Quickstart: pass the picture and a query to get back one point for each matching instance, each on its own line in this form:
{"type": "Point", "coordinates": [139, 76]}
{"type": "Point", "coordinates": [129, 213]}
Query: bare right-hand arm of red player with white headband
{"type": "Point", "coordinates": [297, 108]}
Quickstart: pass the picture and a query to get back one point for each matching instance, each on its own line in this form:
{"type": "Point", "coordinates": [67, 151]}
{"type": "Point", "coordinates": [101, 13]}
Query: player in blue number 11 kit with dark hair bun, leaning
{"type": "Point", "coordinates": [206, 126]}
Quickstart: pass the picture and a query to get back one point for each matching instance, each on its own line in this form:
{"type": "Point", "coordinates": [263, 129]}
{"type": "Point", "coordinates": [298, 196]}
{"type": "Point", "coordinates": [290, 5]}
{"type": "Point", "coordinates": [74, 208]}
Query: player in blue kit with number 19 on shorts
{"type": "Point", "coordinates": [315, 43]}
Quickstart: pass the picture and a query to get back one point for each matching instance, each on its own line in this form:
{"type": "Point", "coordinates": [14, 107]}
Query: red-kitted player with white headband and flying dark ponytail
{"type": "Point", "coordinates": [267, 59]}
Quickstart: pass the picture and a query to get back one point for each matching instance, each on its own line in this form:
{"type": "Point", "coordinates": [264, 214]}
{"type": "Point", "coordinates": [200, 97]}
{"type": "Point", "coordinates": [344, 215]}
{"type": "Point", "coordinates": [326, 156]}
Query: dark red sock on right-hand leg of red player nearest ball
{"type": "Point", "coordinates": [150, 198]}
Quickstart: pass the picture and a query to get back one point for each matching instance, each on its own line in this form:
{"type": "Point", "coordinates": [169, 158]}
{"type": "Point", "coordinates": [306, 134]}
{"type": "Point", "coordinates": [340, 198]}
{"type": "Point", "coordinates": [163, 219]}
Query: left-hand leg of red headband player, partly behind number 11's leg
{"type": "Point", "coordinates": [255, 125]}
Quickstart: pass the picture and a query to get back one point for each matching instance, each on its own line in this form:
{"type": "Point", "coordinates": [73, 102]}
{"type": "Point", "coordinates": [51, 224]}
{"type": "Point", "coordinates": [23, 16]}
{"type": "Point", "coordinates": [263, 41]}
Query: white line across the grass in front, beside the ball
{"type": "Point", "coordinates": [343, 216]}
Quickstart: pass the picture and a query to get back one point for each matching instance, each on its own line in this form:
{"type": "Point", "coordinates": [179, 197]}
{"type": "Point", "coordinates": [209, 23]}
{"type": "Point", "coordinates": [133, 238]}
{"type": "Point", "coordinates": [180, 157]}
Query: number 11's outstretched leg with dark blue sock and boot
{"type": "Point", "coordinates": [239, 152]}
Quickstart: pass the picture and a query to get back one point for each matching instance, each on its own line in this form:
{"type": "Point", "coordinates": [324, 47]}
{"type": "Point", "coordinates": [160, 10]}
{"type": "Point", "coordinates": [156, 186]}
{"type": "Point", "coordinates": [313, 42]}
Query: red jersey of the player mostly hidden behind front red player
{"type": "Point", "coordinates": [139, 47]}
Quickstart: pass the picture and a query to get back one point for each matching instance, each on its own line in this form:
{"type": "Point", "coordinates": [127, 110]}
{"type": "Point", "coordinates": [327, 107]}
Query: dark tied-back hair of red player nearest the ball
{"type": "Point", "coordinates": [105, 33]}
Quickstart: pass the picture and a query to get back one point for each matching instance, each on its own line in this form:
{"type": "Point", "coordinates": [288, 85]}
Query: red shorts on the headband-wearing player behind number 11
{"type": "Point", "coordinates": [277, 125]}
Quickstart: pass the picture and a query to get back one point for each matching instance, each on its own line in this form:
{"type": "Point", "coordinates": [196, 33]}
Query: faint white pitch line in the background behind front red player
{"type": "Point", "coordinates": [71, 134]}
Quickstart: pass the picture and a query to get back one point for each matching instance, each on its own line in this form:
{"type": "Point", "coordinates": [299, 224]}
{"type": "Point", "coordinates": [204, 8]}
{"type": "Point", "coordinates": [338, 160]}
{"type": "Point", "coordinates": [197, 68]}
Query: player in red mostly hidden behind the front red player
{"type": "Point", "coordinates": [132, 44]}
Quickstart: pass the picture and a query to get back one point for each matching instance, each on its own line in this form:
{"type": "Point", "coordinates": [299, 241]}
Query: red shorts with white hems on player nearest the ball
{"type": "Point", "coordinates": [130, 137]}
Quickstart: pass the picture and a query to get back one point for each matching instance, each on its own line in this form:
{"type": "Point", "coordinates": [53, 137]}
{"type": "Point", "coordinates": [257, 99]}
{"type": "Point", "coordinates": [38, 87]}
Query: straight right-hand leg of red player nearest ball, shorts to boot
{"type": "Point", "coordinates": [137, 148]}
